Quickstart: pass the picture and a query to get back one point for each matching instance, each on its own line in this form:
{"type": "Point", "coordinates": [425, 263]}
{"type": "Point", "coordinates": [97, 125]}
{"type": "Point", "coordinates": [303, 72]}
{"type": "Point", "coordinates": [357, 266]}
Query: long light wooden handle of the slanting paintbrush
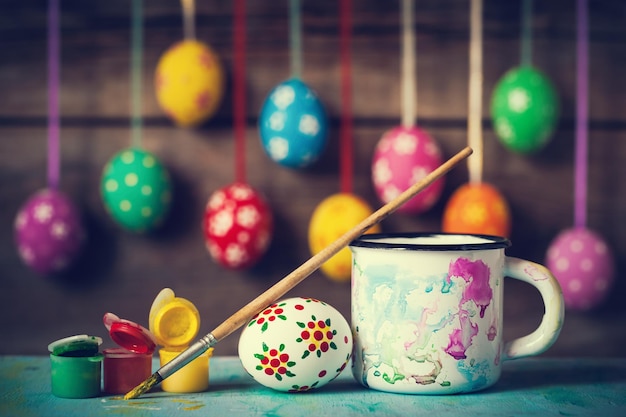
{"type": "Point", "coordinates": [299, 274]}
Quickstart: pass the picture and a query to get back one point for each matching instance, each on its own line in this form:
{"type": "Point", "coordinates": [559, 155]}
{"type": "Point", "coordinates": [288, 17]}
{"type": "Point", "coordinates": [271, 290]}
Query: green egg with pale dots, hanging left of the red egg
{"type": "Point", "coordinates": [136, 190]}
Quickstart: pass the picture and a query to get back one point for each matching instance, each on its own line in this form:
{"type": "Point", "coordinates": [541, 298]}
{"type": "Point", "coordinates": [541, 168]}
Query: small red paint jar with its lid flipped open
{"type": "Point", "coordinates": [126, 367]}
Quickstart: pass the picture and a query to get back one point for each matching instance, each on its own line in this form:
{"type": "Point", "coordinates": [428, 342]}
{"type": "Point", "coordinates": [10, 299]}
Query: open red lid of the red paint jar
{"type": "Point", "coordinates": [129, 335]}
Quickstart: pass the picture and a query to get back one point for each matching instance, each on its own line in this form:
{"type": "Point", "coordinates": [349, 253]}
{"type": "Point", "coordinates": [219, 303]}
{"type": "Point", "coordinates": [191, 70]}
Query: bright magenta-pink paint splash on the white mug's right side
{"type": "Point", "coordinates": [476, 275]}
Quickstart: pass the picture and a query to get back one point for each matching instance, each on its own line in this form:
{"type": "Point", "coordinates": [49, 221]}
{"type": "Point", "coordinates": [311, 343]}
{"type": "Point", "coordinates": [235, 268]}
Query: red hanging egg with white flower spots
{"type": "Point", "coordinates": [237, 225]}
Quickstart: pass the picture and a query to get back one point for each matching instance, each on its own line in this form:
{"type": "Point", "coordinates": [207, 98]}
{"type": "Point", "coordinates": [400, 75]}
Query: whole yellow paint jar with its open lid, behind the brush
{"type": "Point", "coordinates": [175, 323]}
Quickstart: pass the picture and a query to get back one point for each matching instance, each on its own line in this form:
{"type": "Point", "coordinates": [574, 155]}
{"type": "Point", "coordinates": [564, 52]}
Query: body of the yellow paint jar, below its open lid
{"type": "Point", "coordinates": [193, 377]}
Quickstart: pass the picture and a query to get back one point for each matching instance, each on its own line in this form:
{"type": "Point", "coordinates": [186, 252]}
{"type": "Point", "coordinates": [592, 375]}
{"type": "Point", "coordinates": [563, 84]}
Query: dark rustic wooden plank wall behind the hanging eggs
{"type": "Point", "coordinates": [121, 272]}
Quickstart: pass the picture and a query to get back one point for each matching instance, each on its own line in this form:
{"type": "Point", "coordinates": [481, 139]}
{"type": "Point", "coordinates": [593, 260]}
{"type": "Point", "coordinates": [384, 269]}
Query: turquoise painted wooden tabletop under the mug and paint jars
{"type": "Point", "coordinates": [528, 387]}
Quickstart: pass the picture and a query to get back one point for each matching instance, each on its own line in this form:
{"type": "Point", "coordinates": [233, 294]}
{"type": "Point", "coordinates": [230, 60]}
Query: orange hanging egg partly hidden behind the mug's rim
{"type": "Point", "coordinates": [477, 208]}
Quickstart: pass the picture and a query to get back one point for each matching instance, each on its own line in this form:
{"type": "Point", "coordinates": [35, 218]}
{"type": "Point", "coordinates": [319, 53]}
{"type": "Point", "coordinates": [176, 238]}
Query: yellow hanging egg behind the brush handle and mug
{"type": "Point", "coordinates": [331, 219]}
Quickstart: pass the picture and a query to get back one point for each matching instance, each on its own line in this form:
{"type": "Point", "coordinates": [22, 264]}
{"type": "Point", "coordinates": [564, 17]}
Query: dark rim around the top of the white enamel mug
{"type": "Point", "coordinates": [373, 241]}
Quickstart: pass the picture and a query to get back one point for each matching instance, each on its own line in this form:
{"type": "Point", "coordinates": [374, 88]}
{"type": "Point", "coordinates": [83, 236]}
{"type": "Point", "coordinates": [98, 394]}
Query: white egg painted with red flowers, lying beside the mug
{"type": "Point", "coordinates": [296, 345]}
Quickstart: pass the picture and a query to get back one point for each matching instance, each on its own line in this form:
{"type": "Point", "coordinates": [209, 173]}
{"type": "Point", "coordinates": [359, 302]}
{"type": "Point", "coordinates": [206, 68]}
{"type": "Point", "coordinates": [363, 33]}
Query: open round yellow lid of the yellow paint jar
{"type": "Point", "coordinates": [174, 321]}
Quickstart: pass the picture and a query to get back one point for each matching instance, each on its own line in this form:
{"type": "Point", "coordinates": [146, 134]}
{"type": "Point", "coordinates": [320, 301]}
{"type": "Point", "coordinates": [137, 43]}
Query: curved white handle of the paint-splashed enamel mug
{"type": "Point", "coordinates": [546, 334]}
